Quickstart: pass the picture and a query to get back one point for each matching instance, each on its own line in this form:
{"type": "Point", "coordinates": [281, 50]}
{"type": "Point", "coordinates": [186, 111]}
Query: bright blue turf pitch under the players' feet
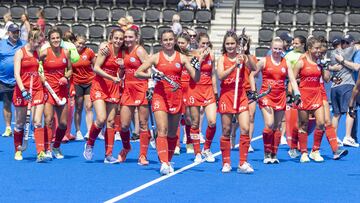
{"type": "Point", "coordinates": [75, 180]}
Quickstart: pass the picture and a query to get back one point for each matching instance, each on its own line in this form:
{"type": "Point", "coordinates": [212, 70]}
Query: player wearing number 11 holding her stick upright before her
{"type": "Point", "coordinates": [226, 70]}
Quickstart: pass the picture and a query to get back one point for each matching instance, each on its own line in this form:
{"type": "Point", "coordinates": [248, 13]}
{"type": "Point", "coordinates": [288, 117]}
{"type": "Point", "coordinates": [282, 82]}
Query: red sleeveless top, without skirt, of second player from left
{"type": "Point", "coordinates": [54, 67]}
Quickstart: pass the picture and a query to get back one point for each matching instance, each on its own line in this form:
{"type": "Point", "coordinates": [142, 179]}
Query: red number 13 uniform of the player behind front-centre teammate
{"type": "Point", "coordinates": [202, 93]}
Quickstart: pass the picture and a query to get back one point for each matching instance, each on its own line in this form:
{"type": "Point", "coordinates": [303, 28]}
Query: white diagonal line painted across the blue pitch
{"type": "Point", "coordinates": [157, 180]}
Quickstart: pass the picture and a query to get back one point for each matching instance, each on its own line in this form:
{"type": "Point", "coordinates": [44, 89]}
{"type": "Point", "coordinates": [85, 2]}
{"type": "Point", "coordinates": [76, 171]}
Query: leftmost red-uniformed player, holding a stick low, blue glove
{"type": "Point", "coordinates": [26, 76]}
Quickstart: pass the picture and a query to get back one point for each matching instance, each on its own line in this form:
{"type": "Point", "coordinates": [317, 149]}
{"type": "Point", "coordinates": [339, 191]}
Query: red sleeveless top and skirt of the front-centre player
{"type": "Point", "coordinates": [164, 99]}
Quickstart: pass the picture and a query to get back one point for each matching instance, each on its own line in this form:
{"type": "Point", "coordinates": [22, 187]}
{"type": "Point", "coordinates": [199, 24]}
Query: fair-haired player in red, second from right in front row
{"type": "Point", "coordinates": [275, 69]}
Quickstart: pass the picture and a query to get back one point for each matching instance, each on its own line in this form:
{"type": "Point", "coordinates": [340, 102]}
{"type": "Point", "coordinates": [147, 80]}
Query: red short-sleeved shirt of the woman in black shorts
{"type": "Point", "coordinates": [82, 70]}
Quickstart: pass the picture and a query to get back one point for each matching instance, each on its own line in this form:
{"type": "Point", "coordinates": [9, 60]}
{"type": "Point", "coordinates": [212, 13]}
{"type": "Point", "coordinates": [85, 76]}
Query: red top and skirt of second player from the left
{"type": "Point", "coordinates": [54, 69]}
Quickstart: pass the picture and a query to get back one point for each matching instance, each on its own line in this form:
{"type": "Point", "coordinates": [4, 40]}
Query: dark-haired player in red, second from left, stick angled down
{"type": "Point", "coordinates": [57, 71]}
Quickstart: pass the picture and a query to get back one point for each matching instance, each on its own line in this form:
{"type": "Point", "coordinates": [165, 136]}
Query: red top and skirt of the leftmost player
{"type": "Point", "coordinates": [29, 67]}
